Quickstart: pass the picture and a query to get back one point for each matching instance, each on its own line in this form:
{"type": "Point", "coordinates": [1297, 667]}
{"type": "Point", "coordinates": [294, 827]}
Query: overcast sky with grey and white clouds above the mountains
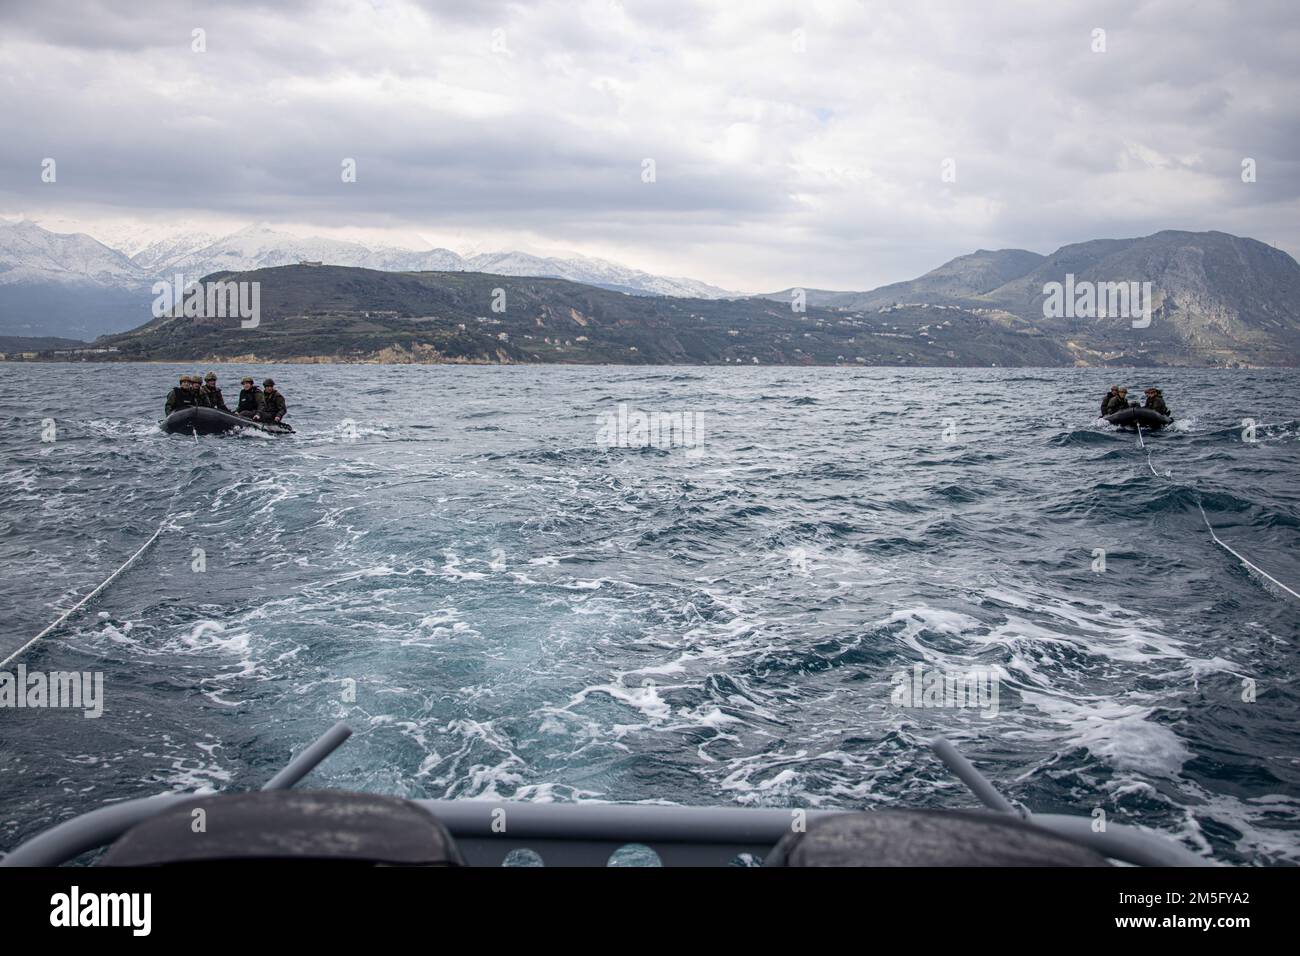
{"type": "Point", "coordinates": [795, 142]}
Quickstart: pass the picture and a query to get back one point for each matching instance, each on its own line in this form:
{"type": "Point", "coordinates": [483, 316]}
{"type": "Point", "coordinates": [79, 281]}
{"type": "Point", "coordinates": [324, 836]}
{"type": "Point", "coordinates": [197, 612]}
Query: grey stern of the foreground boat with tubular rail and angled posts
{"type": "Point", "coordinates": [348, 828]}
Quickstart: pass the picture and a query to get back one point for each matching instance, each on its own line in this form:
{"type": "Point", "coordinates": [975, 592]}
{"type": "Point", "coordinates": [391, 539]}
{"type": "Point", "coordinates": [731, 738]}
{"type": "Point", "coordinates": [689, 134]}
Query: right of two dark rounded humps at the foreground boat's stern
{"type": "Point", "coordinates": [928, 838]}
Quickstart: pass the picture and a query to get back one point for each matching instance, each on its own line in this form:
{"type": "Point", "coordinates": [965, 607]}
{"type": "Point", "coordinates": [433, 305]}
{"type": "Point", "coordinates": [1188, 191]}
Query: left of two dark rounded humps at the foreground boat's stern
{"type": "Point", "coordinates": [289, 827]}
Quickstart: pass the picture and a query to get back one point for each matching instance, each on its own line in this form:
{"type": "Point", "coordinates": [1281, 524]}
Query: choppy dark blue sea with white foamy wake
{"type": "Point", "coordinates": [504, 607]}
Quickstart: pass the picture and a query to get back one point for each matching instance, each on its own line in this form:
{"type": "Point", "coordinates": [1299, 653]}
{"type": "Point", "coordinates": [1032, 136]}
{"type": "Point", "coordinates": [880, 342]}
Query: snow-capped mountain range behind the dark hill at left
{"type": "Point", "coordinates": [71, 284]}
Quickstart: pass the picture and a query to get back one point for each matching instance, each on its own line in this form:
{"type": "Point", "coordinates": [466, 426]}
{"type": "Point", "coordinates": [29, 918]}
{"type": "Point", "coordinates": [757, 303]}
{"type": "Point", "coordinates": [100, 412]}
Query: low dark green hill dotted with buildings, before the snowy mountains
{"type": "Point", "coordinates": [332, 314]}
